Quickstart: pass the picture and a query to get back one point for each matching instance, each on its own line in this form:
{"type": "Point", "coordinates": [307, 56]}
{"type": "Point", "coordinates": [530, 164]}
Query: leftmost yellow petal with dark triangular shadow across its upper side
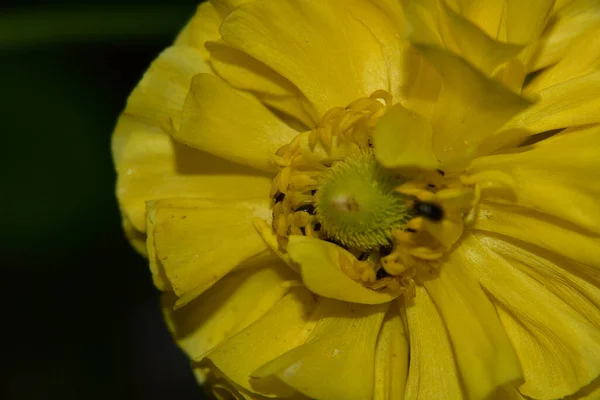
{"type": "Point", "coordinates": [151, 166]}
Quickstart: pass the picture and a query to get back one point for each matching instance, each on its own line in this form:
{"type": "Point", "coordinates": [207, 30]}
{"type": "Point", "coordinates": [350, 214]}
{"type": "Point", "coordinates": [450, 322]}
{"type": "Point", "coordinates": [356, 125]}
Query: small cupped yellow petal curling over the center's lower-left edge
{"type": "Point", "coordinates": [321, 273]}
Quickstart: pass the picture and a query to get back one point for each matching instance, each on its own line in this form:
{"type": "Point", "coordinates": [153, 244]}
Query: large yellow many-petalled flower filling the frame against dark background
{"type": "Point", "coordinates": [356, 199]}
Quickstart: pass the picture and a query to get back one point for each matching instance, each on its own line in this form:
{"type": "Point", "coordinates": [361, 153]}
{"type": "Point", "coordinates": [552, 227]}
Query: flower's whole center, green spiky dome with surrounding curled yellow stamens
{"type": "Point", "coordinates": [394, 224]}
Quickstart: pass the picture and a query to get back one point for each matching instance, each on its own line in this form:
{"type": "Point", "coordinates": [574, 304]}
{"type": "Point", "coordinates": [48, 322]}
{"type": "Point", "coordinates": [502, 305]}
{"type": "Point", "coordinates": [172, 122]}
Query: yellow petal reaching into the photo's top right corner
{"type": "Point", "coordinates": [569, 24]}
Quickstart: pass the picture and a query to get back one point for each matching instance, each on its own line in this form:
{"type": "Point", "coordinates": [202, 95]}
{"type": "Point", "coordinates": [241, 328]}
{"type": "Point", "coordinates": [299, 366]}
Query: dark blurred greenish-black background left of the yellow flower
{"type": "Point", "coordinates": [81, 318]}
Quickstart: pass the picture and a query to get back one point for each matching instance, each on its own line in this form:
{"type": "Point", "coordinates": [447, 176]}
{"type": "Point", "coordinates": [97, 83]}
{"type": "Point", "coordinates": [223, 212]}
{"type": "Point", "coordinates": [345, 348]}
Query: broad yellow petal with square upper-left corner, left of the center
{"type": "Point", "coordinates": [193, 239]}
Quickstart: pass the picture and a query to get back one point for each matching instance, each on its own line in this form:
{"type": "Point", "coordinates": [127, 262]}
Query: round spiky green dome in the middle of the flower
{"type": "Point", "coordinates": [357, 205]}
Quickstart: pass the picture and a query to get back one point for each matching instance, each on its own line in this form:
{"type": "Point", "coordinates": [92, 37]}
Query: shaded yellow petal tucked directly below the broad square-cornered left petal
{"type": "Point", "coordinates": [224, 309]}
